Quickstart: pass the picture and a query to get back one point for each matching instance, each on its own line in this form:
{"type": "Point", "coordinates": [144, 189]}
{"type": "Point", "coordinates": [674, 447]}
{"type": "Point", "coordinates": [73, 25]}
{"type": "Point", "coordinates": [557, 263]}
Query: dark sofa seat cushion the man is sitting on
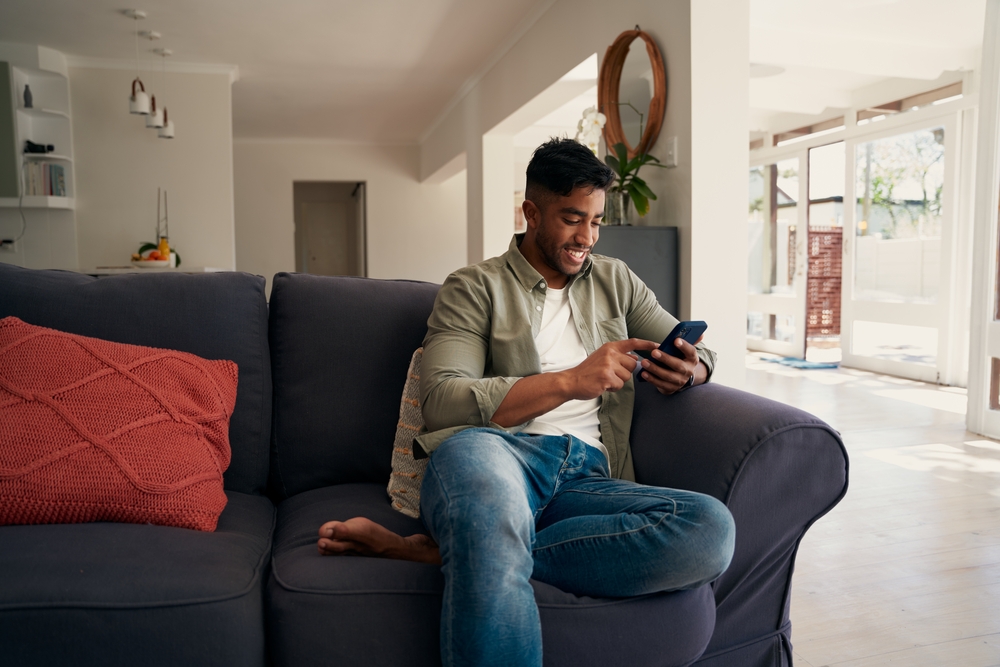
{"type": "Point", "coordinates": [351, 610]}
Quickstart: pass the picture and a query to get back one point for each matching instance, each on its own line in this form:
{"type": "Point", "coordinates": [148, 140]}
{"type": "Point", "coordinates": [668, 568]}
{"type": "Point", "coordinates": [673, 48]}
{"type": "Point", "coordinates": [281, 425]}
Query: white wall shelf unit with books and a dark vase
{"type": "Point", "coordinates": [43, 224]}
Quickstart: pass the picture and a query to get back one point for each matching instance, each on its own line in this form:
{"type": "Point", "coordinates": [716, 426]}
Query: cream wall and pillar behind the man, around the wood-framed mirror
{"type": "Point", "coordinates": [705, 44]}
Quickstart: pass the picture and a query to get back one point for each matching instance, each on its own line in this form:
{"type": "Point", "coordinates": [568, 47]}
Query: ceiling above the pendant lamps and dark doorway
{"type": "Point", "coordinates": [371, 71]}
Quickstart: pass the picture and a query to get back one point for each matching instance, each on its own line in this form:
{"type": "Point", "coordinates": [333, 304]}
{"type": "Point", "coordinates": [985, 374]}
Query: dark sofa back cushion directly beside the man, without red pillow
{"type": "Point", "coordinates": [340, 349]}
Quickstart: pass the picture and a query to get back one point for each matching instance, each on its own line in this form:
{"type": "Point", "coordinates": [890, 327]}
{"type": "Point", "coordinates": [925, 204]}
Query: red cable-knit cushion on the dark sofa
{"type": "Point", "coordinates": [92, 430]}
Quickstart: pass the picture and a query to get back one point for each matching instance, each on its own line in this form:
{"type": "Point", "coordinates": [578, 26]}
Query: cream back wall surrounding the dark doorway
{"type": "Point", "coordinates": [415, 230]}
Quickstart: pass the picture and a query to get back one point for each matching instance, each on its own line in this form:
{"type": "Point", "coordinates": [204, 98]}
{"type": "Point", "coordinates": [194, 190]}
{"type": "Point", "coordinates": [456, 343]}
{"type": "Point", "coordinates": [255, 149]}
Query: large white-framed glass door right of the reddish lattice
{"type": "Point", "coordinates": [898, 249]}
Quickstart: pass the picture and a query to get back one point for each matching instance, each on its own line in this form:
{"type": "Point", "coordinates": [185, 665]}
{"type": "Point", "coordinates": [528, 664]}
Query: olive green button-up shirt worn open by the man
{"type": "Point", "coordinates": [481, 340]}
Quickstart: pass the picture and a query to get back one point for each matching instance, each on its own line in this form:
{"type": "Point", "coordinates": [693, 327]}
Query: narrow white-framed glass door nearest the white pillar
{"type": "Point", "coordinates": [777, 230]}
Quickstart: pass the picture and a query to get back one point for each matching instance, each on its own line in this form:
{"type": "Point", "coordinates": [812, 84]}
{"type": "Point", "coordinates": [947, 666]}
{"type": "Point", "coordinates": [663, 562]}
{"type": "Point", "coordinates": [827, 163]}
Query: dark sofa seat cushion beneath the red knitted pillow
{"type": "Point", "coordinates": [127, 594]}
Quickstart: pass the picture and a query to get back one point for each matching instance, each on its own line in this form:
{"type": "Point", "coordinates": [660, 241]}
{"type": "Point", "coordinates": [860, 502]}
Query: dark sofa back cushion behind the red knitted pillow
{"type": "Point", "coordinates": [212, 315]}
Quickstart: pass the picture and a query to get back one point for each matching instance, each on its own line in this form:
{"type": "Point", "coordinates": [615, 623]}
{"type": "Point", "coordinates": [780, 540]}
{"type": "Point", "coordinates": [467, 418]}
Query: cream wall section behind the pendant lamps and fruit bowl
{"type": "Point", "coordinates": [119, 164]}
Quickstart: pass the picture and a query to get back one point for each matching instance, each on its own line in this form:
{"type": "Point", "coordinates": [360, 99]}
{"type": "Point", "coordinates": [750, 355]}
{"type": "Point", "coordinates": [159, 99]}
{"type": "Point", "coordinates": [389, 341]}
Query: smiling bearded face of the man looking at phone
{"type": "Point", "coordinates": [562, 233]}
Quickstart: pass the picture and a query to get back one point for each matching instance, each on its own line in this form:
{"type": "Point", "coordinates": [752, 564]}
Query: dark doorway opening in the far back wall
{"type": "Point", "coordinates": [330, 228]}
